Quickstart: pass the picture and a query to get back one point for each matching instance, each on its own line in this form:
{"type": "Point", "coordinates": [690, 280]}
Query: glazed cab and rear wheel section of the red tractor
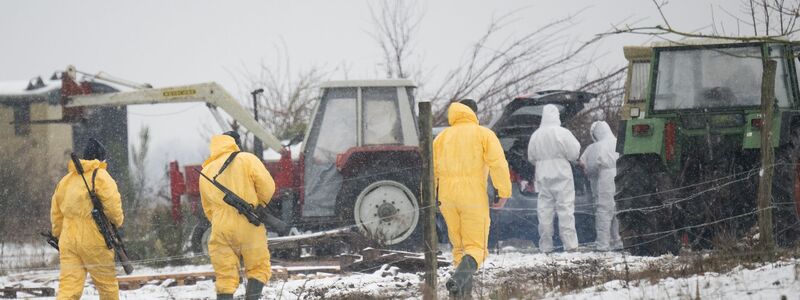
{"type": "Point", "coordinates": [362, 133]}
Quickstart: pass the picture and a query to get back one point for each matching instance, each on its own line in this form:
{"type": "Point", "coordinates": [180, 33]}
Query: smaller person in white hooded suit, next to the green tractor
{"type": "Point", "coordinates": [600, 162]}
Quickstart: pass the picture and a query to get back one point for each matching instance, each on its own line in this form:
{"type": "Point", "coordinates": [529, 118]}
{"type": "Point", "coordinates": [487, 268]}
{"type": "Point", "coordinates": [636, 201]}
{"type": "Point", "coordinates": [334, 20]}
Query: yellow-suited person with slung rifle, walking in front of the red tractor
{"type": "Point", "coordinates": [232, 236]}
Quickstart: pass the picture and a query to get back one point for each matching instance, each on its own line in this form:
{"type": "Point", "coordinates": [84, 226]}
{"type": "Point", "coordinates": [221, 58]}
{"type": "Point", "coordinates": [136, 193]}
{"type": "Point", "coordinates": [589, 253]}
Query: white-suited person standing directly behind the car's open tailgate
{"type": "Point", "coordinates": [551, 149]}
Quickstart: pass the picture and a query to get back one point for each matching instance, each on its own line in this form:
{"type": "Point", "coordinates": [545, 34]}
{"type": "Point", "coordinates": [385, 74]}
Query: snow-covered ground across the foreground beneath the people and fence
{"type": "Point", "coordinates": [524, 273]}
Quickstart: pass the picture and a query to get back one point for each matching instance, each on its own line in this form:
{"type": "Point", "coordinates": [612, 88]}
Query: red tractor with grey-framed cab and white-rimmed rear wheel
{"type": "Point", "coordinates": [358, 166]}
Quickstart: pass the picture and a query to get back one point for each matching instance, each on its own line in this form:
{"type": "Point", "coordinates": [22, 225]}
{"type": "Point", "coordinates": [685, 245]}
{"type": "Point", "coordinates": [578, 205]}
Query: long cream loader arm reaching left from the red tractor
{"type": "Point", "coordinates": [211, 93]}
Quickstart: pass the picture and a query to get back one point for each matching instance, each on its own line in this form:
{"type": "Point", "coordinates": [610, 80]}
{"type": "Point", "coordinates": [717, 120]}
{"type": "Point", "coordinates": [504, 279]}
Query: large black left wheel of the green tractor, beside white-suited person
{"type": "Point", "coordinates": [643, 183]}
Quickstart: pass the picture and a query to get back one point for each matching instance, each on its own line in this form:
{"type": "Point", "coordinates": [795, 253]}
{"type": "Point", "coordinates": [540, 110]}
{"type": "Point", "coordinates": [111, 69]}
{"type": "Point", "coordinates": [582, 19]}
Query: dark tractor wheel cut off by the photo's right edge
{"type": "Point", "coordinates": [786, 191]}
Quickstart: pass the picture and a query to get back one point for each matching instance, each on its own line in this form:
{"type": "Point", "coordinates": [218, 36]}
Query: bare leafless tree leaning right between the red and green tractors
{"type": "Point", "coordinates": [499, 67]}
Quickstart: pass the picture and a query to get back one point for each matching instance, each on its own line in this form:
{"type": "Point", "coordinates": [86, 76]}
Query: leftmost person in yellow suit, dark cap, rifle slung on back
{"type": "Point", "coordinates": [81, 246]}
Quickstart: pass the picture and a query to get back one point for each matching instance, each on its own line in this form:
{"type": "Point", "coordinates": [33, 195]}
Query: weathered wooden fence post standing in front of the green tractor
{"type": "Point", "coordinates": [767, 157]}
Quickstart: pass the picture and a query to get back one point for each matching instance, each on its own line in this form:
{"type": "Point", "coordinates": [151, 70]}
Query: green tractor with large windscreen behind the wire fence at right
{"type": "Point", "coordinates": [690, 138]}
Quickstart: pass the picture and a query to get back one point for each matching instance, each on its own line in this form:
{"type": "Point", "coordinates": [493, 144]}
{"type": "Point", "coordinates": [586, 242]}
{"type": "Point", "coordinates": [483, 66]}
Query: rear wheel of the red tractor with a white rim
{"type": "Point", "coordinates": [384, 208]}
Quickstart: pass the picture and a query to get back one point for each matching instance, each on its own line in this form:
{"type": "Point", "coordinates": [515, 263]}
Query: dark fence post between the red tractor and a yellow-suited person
{"type": "Point", "coordinates": [427, 199]}
